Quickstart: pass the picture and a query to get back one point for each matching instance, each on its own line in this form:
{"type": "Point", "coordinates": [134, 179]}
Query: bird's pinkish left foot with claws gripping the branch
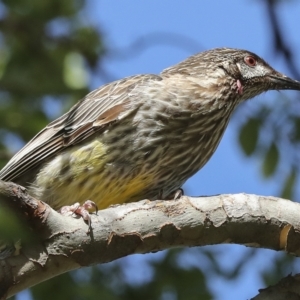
{"type": "Point", "coordinates": [81, 210]}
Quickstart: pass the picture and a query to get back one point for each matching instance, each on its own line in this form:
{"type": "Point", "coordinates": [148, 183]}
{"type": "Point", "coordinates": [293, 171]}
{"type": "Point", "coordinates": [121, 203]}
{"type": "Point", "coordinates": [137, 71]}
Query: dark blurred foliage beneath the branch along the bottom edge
{"type": "Point", "coordinates": [166, 280]}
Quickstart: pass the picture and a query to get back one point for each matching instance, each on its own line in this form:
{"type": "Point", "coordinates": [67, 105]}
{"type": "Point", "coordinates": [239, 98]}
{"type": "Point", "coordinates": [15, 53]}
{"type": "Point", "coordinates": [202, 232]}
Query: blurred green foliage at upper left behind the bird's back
{"type": "Point", "coordinates": [45, 48]}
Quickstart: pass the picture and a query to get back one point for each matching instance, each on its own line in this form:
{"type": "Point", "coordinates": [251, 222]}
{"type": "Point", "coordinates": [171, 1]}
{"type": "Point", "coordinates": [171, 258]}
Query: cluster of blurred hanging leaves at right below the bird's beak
{"type": "Point", "coordinates": [271, 133]}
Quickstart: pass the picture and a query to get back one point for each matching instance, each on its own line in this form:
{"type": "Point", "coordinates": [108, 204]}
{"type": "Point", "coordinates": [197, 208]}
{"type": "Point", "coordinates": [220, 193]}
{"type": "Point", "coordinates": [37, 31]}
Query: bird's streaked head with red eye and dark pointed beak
{"type": "Point", "coordinates": [247, 73]}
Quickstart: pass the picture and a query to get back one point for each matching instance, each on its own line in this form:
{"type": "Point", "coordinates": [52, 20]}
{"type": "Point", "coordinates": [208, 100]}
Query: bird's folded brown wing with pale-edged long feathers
{"type": "Point", "coordinates": [93, 113]}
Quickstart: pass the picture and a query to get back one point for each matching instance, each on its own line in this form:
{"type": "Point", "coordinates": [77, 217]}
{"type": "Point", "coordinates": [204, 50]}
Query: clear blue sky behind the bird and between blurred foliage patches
{"type": "Point", "coordinates": [170, 31]}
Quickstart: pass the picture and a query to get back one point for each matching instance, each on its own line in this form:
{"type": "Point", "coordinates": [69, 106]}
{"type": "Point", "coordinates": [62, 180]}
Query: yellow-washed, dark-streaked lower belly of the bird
{"type": "Point", "coordinates": [89, 172]}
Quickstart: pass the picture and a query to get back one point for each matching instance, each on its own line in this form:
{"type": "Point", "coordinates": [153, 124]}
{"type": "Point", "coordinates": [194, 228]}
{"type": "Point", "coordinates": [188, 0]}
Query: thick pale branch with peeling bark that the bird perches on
{"type": "Point", "coordinates": [61, 243]}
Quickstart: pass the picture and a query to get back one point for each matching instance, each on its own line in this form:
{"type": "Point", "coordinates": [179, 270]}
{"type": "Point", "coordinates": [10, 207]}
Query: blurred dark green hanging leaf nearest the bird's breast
{"type": "Point", "coordinates": [249, 135]}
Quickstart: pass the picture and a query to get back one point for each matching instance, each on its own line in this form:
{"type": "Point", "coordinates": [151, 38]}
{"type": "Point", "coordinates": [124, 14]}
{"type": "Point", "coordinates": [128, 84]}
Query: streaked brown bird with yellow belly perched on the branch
{"type": "Point", "coordinates": [143, 136]}
